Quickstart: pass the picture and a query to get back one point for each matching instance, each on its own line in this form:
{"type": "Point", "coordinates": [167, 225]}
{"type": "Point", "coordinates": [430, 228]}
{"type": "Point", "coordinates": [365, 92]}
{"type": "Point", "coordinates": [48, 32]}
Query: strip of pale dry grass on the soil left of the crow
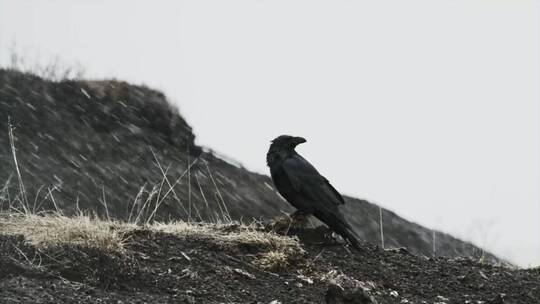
{"type": "Point", "coordinates": [276, 252]}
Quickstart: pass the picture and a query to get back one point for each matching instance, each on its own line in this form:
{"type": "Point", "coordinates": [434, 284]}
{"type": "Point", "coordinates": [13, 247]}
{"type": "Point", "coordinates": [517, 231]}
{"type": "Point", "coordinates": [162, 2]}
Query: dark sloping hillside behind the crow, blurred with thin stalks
{"type": "Point", "coordinates": [106, 146]}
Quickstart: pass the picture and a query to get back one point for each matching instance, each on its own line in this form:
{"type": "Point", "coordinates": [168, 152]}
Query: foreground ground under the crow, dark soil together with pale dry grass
{"type": "Point", "coordinates": [106, 262]}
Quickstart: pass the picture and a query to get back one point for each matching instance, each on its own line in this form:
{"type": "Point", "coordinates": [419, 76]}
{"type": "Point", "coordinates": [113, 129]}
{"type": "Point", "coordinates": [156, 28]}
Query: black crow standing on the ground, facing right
{"type": "Point", "coordinates": [305, 188]}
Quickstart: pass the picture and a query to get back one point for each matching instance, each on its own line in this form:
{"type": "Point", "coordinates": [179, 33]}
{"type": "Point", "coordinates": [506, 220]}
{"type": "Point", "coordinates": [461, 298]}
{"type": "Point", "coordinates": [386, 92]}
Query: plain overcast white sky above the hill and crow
{"type": "Point", "coordinates": [428, 107]}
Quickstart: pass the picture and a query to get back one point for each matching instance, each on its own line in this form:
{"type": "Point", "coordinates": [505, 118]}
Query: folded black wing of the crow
{"type": "Point", "coordinates": [307, 180]}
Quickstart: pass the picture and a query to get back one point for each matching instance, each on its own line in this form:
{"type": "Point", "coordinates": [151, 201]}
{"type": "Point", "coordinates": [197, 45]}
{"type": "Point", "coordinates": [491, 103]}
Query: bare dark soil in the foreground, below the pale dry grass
{"type": "Point", "coordinates": [162, 268]}
